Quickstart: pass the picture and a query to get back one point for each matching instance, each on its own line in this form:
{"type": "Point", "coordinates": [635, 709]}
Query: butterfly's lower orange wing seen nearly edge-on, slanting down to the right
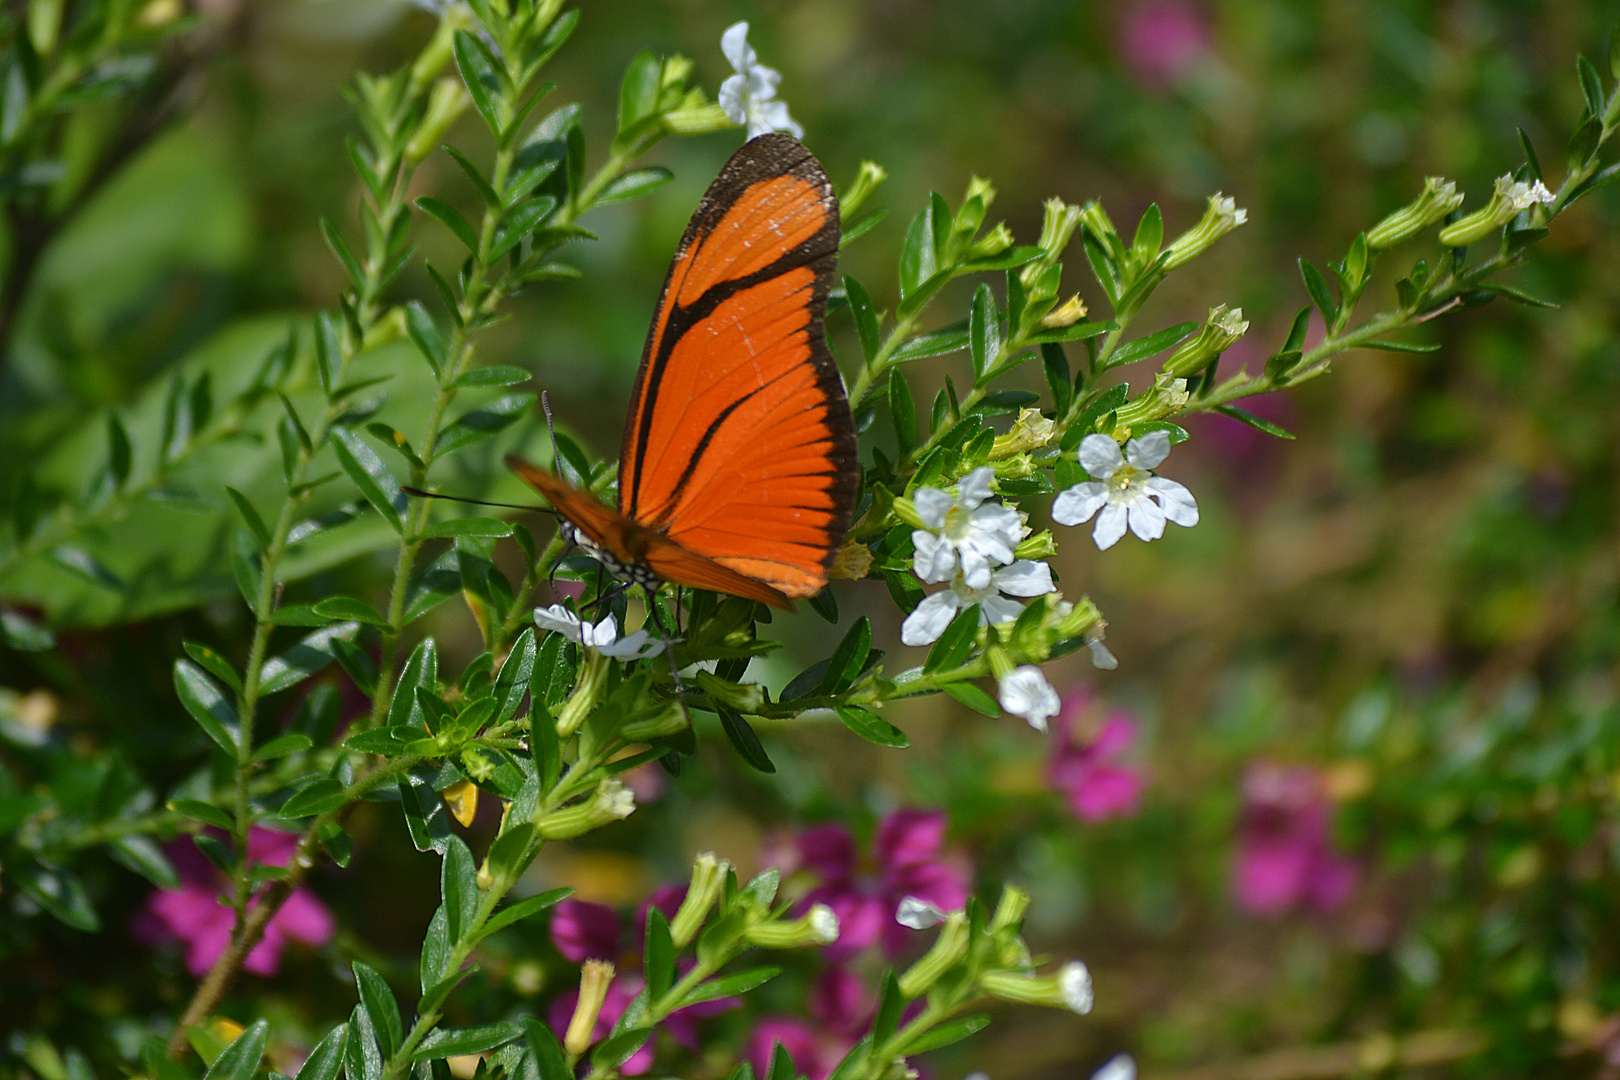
{"type": "Point", "coordinates": [634, 543]}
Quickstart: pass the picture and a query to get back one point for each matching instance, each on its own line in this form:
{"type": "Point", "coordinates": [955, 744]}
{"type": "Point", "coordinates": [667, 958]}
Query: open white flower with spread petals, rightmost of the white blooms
{"type": "Point", "coordinates": [1125, 491]}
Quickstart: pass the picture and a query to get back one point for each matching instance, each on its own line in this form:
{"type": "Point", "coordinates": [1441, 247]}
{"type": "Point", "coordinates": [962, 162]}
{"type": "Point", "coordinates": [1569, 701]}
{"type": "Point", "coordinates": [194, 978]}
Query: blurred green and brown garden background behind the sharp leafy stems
{"type": "Point", "coordinates": [1418, 595]}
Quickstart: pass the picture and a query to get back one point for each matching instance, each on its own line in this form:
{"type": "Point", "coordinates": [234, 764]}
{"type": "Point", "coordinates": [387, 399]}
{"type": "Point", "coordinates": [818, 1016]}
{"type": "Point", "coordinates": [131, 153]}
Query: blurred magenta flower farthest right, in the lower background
{"type": "Point", "coordinates": [1285, 856]}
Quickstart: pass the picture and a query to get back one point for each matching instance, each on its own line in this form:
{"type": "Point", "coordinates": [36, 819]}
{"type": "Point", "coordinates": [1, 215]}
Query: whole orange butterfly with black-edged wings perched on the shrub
{"type": "Point", "coordinates": [738, 470]}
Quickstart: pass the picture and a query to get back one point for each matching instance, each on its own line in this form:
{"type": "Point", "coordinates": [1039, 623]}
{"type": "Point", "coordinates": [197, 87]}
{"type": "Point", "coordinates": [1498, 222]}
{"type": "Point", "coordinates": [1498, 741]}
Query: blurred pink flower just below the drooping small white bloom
{"type": "Point", "coordinates": [1085, 760]}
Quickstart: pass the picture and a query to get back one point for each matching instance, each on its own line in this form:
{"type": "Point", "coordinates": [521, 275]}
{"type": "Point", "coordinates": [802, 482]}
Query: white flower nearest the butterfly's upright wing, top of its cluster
{"type": "Point", "coordinates": [965, 534]}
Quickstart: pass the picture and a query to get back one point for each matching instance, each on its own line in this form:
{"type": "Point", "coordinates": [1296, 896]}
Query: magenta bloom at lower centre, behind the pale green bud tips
{"type": "Point", "coordinates": [906, 862]}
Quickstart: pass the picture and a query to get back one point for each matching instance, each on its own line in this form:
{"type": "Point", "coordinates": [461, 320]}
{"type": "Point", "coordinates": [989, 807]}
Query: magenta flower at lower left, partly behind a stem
{"type": "Point", "coordinates": [198, 916]}
